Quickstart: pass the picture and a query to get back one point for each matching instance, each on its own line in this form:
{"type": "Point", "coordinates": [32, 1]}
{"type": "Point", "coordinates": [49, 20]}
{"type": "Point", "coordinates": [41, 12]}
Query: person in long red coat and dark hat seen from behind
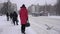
{"type": "Point", "coordinates": [23, 17]}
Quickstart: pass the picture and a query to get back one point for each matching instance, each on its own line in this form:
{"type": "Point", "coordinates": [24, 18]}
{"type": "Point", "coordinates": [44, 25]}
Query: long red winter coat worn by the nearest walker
{"type": "Point", "coordinates": [23, 15]}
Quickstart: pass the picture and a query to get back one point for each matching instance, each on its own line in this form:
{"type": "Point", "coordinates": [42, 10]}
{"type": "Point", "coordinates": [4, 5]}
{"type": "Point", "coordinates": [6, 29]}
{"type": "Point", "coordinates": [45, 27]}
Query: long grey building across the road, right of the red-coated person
{"type": "Point", "coordinates": [45, 10]}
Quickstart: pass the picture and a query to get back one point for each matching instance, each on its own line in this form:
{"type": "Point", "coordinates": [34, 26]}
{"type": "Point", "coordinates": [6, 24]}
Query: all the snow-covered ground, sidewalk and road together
{"type": "Point", "coordinates": [39, 25]}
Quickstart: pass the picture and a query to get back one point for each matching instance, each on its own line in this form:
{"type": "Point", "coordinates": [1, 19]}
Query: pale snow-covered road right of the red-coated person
{"type": "Point", "coordinates": [41, 24]}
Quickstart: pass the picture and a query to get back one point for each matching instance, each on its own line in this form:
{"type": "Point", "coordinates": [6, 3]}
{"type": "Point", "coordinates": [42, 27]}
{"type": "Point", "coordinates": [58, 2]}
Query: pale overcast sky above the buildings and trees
{"type": "Point", "coordinates": [29, 2]}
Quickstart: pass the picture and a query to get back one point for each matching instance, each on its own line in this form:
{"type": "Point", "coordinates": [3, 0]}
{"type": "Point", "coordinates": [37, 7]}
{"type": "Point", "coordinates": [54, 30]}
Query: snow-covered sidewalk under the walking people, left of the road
{"type": "Point", "coordinates": [6, 27]}
